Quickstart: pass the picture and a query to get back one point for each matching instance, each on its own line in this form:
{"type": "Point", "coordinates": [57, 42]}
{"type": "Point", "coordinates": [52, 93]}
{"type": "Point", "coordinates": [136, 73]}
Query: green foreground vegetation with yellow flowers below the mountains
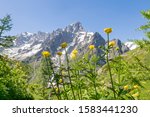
{"type": "Point", "coordinates": [83, 78]}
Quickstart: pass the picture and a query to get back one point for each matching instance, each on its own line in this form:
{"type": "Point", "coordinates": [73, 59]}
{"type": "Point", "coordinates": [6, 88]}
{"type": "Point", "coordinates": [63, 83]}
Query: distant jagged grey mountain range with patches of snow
{"type": "Point", "coordinates": [28, 46]}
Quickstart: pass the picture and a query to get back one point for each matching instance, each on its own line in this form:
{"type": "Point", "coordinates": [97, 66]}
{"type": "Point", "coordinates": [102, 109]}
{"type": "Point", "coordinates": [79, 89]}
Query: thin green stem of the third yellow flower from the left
{"type": "Point", "coordinates": [68, 69]}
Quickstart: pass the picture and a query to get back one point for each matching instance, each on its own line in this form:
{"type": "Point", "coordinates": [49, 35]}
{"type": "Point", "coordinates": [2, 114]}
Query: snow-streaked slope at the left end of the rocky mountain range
{"type": "Point", "coordinates": [26, 45]}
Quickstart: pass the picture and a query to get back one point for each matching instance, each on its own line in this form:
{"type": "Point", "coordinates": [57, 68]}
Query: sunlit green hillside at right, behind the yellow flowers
{"type": "Point", "coordinates": [138, 63]}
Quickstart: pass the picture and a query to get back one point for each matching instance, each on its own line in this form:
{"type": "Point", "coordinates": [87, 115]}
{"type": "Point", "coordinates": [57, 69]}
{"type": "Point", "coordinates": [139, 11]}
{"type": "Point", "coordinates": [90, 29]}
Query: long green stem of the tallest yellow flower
{"type": "Point", "coordinates": [109, 69]}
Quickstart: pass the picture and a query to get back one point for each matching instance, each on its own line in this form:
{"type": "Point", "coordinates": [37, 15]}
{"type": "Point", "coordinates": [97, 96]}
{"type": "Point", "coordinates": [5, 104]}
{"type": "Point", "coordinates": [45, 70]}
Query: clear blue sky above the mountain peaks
{"type": "Point", "coordinates": [47, 15]}
